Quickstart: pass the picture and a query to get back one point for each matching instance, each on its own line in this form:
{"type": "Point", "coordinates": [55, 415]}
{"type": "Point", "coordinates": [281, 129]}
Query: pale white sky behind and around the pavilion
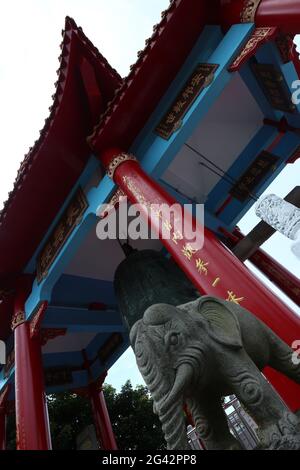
{"type": "Point", "coordinates": [30, 35]}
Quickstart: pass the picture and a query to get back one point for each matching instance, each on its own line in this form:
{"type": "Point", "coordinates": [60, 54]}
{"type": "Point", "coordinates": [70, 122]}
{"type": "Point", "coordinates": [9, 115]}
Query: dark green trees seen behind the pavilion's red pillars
{"type": "Point", "coordinates": [131, 413]}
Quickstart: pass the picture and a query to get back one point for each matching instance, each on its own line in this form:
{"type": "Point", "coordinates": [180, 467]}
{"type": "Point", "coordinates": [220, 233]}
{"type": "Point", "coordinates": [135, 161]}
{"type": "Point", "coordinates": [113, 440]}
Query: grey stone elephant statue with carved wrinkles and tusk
{"type": "Point", "coordinates": [196, 353]}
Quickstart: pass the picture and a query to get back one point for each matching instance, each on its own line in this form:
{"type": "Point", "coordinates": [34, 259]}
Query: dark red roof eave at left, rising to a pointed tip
{"type": "Point", "coordinates": [54, 163]}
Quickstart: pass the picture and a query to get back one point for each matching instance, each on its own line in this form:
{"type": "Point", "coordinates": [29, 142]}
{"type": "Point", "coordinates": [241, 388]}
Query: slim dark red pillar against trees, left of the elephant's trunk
{"type": "Point", "coordinates": [102, 422]}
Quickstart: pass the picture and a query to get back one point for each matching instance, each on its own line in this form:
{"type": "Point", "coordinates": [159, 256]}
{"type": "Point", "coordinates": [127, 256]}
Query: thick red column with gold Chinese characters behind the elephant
{"type": "Point", "coordinates": [213, 269]}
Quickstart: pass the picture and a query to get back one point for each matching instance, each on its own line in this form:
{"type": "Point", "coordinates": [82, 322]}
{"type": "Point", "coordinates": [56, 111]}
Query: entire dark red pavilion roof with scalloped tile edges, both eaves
{"type": "Point", "coordinates": [91, 100]}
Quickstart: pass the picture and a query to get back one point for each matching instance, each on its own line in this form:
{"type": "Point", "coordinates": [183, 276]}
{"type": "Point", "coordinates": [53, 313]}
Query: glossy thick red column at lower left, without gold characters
{"type": "Point", "coordinates": [32, 421]}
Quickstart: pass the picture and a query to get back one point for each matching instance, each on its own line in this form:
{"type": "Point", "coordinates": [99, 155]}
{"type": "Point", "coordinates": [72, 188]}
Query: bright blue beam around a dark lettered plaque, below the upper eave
{"type": "Point", "coordinates": [156, 153]}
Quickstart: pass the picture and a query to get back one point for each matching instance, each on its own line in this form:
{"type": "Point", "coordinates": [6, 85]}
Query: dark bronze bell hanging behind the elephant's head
{"type": "Point", "coordinates": [147, 277]}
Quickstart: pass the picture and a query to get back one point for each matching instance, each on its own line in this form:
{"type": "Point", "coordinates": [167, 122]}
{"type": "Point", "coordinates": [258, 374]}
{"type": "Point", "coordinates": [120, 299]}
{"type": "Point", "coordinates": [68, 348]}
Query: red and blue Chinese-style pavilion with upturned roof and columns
{"type": "Point", "coordinates": [205, 115]}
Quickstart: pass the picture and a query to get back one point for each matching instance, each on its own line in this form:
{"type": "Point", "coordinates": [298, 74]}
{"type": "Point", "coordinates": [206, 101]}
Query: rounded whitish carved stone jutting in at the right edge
{"type": "Point", "coordinates": [279, 214]}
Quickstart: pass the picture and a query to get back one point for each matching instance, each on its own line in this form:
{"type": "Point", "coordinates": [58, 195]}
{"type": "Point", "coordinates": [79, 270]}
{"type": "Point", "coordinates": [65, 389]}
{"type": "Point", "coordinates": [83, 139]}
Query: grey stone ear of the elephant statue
{"type": "Point", "coordinates": [223, 323]}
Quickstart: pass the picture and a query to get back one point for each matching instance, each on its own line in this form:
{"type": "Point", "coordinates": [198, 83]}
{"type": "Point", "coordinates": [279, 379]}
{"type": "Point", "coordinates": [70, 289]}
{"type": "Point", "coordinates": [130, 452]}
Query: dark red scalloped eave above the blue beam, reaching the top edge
{"type": "Point", "coordinates": [150, 76]}
